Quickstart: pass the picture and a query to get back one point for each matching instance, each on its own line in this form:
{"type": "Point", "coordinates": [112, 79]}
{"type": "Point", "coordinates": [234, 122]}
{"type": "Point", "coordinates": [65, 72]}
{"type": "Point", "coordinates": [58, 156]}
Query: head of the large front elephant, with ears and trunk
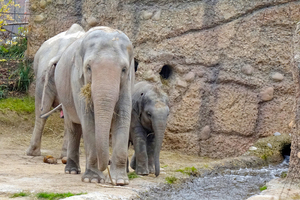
{"type": "Point", "coordinates": [104, 62]}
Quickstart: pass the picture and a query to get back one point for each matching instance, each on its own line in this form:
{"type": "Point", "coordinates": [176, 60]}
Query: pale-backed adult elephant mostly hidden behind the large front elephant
{"type": "Point", "coordinates": [44, 61]}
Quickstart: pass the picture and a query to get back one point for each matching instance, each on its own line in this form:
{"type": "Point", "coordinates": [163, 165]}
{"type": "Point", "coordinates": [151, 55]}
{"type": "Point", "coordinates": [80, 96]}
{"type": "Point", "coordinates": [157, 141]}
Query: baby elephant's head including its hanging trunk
{"type": "Point", "coordinates": [152, 106]}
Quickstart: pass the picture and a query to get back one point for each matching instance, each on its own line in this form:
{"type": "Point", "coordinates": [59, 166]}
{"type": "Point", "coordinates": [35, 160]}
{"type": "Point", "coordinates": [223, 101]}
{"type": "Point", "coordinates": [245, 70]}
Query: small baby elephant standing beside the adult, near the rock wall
{"type": "Point", "coordinates": [149, 115]}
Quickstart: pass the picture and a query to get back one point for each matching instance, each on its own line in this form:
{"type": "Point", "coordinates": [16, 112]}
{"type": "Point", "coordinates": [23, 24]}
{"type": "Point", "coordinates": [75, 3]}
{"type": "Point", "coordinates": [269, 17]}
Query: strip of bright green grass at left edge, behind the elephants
{"type": "Point", "coordinates": [23, 105]}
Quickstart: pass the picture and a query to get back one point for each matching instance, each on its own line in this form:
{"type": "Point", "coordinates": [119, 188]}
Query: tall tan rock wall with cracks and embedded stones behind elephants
{"type": "Point", "coordinates": [226, 65]}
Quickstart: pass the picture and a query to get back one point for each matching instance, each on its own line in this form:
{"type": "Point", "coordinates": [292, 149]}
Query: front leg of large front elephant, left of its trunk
{"type": "Point", "coordinates": [91, 174]}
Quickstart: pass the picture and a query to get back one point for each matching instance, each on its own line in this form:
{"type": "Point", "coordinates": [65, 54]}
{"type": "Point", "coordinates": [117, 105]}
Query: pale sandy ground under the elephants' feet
{"type": "Point", "coordinates": [19, 172]}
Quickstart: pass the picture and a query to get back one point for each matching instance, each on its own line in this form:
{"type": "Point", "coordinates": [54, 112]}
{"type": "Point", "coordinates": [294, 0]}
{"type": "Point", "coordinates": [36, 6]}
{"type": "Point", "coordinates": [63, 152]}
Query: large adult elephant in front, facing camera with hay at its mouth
{"type": "Point", "coordinates": [104, 58]}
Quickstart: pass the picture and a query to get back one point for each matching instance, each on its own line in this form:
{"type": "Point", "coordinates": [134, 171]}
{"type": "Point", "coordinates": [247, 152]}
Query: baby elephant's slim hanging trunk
{"type": "Point", "coordinates": [159, 131]}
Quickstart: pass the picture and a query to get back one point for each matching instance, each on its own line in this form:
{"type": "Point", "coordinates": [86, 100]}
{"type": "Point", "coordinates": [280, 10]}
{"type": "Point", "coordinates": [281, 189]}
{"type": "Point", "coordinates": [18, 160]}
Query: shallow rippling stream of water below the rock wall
{"type": "Point", "coordinates": [227, 185]}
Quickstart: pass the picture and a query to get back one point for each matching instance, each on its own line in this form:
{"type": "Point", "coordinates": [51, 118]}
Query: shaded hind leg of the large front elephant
{"type": "Point", "coordinates": [74, 132]}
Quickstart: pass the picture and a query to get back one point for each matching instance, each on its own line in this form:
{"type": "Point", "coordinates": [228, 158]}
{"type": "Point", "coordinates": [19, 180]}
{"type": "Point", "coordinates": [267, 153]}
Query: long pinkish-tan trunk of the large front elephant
{"type": "Point", "coordinates": [105, 93]}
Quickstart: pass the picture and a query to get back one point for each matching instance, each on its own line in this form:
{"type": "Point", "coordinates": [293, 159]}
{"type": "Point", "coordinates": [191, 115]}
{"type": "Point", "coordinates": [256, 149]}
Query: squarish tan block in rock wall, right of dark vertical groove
{"type": "Point", "coordinates": [235, 110]}
